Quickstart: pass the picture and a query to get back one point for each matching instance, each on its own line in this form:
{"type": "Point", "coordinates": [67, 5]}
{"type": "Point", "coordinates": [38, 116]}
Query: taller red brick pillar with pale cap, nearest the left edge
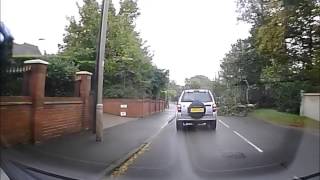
{"type": "Point", "coordinates": [35, 88]}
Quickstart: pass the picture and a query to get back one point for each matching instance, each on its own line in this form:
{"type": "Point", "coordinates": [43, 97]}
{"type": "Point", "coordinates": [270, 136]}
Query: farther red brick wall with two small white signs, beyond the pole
{"type": "Point", "coordinates": [135, 107]}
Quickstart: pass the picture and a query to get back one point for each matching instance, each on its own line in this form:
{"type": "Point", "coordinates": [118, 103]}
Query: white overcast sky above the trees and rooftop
{"type": "Point", "coordinates": [187, 37]}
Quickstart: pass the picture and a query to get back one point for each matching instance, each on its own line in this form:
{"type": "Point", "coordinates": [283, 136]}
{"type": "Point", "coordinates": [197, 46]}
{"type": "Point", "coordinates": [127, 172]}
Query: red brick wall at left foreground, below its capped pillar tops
{"type": "Point", "coordinates": [58, 116]}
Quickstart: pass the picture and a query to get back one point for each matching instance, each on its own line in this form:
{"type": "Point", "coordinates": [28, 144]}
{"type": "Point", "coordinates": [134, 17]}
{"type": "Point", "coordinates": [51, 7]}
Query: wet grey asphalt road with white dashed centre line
{"type": "Point", "coordinates": [240, 148]}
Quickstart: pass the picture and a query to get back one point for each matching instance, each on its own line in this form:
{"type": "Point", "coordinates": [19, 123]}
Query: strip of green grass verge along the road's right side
{"type": "Point", "coordinates": [286, 119]}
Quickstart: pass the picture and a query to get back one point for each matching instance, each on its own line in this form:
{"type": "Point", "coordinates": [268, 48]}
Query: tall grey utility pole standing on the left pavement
{"type": "Point", "coordinates": [100, 70]}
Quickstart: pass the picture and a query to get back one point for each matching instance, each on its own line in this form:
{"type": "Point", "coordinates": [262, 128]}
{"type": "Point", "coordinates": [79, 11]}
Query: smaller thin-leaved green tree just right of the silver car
{"type": "Point", "coordinates": [242, 66]}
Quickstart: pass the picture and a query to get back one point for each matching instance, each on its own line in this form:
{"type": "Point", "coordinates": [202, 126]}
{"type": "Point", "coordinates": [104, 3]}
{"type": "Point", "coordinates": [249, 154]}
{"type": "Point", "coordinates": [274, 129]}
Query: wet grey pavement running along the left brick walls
{"type": "Point", "coordinates": [79, 156]}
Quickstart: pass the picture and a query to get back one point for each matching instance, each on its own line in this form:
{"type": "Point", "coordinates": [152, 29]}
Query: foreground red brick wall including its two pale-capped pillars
{"type": "Point", "coordinates": [34, 117]}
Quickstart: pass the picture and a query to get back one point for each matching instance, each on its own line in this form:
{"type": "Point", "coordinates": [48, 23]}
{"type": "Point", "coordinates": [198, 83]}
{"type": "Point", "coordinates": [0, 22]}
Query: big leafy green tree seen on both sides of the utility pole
{"type": "Point", "coordinates": [128, 71]}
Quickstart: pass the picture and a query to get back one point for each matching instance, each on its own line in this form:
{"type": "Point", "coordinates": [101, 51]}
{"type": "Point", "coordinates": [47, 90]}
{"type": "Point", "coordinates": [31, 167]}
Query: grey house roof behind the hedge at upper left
{"type": "Point", "coordinates": [25, 49]}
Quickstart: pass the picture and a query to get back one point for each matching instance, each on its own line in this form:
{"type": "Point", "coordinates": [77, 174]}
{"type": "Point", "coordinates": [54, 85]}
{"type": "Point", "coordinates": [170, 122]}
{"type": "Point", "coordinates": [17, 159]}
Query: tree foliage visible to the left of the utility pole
{"type": "Point", "coordinates": [80, 39]}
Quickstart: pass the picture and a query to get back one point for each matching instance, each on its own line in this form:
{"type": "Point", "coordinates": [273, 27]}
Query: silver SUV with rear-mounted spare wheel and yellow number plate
{"type": "Point", "coordinates": [195, 107]}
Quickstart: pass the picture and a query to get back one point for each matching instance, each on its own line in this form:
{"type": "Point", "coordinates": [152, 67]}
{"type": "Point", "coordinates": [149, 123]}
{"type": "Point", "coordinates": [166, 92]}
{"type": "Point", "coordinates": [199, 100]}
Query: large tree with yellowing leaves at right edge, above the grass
{"type": "Point", "coordinates": [285, 35]}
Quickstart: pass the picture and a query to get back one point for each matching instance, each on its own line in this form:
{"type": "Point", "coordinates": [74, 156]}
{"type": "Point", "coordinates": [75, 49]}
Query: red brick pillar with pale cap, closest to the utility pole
{"type": "Point", "coordinates": [83, 81]}
